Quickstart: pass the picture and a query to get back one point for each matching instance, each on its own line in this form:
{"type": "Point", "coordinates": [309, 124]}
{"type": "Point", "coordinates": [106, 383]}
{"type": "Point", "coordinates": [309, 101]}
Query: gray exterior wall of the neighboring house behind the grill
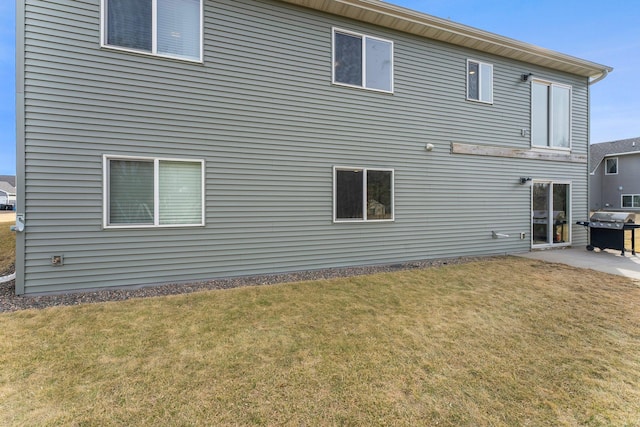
{"type": "Point", "coordinates": [605, 189]}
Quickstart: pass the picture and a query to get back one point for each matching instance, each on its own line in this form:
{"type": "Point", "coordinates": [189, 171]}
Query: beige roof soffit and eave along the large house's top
{"type": "Point", "coordinates": [387, 15]}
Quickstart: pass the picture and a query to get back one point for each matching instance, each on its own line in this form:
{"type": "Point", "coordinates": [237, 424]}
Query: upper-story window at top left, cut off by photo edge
{"type": "Point", "coordinates": [171, 28]}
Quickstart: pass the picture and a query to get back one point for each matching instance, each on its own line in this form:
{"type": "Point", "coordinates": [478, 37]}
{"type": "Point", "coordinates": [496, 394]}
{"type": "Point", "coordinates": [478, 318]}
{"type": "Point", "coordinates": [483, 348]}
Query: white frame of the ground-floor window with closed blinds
{"type": "Point", "coordinates": [156, 191]}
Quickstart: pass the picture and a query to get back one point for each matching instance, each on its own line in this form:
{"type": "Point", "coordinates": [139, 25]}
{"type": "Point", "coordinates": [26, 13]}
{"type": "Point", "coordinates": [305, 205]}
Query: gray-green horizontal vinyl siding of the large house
{"type": "Point", "coordinates": [263, 114]}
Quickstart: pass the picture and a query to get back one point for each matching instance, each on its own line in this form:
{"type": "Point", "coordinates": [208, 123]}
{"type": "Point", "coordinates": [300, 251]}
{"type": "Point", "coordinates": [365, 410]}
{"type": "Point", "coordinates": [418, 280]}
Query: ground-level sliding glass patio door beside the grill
{"type": "Point", "coordinates": [551, 220]}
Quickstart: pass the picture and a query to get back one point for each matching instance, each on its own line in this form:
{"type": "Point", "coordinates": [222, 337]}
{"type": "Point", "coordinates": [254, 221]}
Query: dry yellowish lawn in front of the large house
{"type": "Point", "coordinates": [508, 341]}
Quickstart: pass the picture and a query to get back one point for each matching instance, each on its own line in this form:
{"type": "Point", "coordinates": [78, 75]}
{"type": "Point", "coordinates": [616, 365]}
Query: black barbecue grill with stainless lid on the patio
{"type": "Point", "coordinates": [607, 230]}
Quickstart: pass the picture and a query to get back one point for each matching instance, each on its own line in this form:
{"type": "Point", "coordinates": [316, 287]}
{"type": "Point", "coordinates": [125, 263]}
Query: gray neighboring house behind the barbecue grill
{"type": "Point", "coordinates": [615, 176]}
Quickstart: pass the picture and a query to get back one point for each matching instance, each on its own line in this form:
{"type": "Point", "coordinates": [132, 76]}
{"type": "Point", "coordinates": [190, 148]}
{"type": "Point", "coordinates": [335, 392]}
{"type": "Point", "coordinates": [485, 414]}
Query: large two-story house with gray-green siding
{"type": "Point", "coordinates": [236, 137]}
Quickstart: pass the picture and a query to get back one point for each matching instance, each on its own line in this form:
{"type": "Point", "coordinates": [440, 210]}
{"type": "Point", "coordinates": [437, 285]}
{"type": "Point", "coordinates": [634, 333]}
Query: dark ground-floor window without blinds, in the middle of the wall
{"type": "Point", "coordinates": [362, 194]}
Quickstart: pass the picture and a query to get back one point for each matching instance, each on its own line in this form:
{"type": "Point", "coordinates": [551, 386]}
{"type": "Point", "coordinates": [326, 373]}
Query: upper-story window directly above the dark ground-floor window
{"type": "Point", "coordinates": [362, 61]}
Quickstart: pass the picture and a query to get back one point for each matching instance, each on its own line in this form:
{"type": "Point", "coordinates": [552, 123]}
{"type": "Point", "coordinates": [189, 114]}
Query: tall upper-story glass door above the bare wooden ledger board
{"type": "Point", "coordinates": [550, 115]}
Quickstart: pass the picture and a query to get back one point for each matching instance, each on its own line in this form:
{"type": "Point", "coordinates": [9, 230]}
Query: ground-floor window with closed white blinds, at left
{"type": "Point", "coordinates": [153, 192]}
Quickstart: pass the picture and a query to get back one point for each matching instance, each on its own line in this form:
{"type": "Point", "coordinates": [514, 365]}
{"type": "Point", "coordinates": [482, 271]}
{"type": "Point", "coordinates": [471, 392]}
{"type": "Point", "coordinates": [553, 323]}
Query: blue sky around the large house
{"type": "Point", "coordinates": [600, 31]}
